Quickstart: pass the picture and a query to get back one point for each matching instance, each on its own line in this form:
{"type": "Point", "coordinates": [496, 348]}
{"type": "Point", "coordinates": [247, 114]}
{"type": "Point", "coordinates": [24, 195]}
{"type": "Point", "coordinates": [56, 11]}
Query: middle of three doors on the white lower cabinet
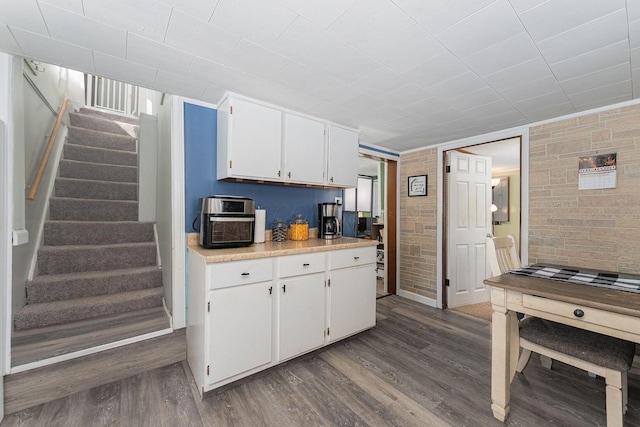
{"type": "Point", "coordinates": [302, 310]}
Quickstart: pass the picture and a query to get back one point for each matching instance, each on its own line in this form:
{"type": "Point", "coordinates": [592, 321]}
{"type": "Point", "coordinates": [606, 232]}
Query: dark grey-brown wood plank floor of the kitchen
{"type": "Point", "coordinates": [419, 367]}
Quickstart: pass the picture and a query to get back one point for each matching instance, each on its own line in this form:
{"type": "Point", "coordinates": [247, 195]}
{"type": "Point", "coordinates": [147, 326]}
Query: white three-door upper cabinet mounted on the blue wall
{"type": "Point", "coordinates": [261, 142]}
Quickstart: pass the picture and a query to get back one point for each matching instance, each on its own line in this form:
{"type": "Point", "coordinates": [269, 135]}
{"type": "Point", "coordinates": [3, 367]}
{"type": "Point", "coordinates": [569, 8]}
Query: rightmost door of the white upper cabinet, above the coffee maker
{"type": "Point", "coordinates": [342, 167]}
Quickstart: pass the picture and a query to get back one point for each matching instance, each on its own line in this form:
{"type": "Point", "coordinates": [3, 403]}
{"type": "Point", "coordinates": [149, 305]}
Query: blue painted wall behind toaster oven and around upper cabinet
{"type": "Point", "coordinates": [281, 202]}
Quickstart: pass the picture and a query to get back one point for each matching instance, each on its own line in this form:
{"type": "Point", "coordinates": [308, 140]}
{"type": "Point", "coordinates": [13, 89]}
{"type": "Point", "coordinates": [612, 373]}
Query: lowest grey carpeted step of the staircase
{"type": "Point", "coordinates": [59, 312]}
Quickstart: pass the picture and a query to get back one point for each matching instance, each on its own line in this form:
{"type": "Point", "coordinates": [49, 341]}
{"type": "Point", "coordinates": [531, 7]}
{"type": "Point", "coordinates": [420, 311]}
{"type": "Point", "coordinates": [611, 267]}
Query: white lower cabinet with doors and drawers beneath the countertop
{"type": "Point", "coordinates": [245, 316]}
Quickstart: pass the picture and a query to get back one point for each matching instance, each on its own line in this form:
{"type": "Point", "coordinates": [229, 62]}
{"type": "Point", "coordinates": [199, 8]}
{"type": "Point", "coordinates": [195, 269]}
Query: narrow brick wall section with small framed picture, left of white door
{"type": "Point", "coordinates": [418, 234]}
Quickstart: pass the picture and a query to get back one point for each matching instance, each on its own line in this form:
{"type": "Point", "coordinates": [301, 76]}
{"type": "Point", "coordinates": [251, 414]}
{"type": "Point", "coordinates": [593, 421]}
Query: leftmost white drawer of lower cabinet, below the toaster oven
{"type": "Point", "coordinates": [234, 273]}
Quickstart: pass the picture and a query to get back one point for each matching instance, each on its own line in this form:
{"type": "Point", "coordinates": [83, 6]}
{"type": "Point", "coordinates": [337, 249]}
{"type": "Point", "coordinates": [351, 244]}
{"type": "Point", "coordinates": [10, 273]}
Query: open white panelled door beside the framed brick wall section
{"type": "Point", "coordinates": [468, 222]}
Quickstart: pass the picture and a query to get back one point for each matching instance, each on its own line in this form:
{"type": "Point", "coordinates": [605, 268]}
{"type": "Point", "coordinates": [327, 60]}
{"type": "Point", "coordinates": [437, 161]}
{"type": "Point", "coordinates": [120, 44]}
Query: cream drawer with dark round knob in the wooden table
{"type": "Point", "coordinates": [590, 315]}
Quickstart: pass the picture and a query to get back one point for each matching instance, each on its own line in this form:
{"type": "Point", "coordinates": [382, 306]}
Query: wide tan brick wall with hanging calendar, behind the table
{"type": "Point", "coordinates": [589, 228]}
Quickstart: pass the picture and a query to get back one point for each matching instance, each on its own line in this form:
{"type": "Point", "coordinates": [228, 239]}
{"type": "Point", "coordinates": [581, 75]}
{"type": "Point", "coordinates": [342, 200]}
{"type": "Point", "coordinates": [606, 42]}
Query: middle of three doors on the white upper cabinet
{"type": "Point", "coordinates": [304, 149]}
